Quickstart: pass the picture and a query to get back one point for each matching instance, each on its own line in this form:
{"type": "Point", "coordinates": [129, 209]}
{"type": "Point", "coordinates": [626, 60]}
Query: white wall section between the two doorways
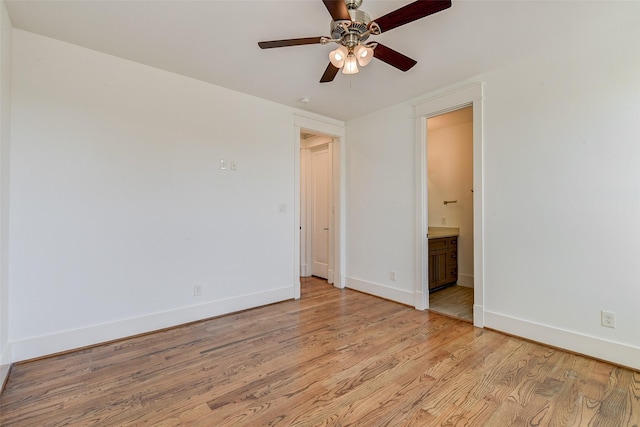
{"type": "Point", "coordinates": [380, 204]}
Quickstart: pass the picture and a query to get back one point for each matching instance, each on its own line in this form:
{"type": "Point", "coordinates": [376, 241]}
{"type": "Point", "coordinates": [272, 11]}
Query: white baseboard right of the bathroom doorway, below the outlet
{"type": "Point", "coordinates": [622, 354]}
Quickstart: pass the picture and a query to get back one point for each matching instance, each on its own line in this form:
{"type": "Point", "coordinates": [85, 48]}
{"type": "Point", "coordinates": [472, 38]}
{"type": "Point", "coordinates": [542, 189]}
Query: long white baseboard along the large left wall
{"type": "Point", "coordinates": [68, 340]}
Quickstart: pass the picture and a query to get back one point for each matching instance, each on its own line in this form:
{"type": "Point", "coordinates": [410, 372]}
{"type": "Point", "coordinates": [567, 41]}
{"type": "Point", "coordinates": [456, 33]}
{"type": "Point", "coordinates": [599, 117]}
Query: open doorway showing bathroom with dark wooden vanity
{"type": "Point", "coordinates": [450, 212]}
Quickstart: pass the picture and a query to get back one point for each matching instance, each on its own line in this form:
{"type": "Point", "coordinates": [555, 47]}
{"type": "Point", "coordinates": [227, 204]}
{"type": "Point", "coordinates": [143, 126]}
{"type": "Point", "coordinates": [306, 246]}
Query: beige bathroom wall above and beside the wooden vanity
{"type": "Point", "coordinates": [450, 177]}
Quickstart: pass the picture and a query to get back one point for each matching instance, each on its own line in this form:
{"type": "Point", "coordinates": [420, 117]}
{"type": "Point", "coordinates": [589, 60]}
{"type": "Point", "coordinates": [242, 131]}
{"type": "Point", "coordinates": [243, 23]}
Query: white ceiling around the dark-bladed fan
{"type": "Point", "coordinates": [216, 41]}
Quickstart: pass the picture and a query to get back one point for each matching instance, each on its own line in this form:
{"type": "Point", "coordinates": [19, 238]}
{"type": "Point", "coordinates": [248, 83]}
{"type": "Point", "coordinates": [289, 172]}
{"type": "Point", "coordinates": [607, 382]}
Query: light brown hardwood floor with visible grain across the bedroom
{"type": "Point", "coordinates": [333, 358]}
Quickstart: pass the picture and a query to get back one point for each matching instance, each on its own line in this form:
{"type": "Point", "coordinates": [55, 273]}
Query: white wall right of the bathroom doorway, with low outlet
{"type": "Point", "coordinates": [562, 188]}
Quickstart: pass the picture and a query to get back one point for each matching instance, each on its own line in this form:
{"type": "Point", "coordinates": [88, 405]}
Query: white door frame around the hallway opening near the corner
{"type": "Point", "coordinates": [336, 130]}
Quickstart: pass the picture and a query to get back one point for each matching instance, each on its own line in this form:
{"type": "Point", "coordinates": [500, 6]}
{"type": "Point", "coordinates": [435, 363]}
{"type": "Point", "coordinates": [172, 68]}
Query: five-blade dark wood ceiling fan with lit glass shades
{"type": "Point", "coordinates": [351, 28]}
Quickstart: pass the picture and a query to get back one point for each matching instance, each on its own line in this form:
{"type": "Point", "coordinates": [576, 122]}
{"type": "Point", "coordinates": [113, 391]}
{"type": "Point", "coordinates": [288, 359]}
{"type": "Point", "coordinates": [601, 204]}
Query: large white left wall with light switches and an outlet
{"type": "Point", "coordinates": [118, 206]}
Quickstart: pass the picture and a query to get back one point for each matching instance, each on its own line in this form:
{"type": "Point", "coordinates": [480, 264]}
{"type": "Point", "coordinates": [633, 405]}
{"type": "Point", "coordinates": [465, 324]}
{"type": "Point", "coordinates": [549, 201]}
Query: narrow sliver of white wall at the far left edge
{"type": "Point", "coordinates": [5, 135]}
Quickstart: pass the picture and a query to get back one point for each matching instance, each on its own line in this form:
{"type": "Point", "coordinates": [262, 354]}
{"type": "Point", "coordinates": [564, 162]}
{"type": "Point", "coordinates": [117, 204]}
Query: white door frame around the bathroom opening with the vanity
{"type": "Point", "coordinates": [471, 95]}
